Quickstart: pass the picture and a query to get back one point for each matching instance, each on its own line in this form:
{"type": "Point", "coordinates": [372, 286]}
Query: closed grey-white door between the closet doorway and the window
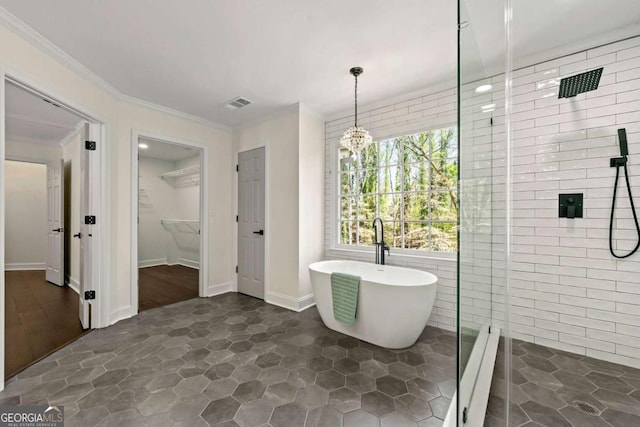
{"type": "Point", "coordinates": [251, 222]}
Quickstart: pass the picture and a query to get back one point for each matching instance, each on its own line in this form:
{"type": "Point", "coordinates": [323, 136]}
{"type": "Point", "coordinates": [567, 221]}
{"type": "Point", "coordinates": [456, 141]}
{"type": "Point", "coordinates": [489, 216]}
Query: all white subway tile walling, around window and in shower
{"type": "Point", "coordinates": [567, 291]}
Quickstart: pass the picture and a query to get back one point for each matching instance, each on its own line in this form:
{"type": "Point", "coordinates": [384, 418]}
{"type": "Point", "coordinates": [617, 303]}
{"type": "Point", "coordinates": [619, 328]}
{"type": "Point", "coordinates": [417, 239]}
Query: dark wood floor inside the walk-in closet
{"type": "Point", "coordinates": [166, 284]}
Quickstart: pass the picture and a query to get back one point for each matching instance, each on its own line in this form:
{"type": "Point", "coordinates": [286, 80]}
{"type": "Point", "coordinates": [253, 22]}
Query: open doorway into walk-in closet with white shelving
{"type": "Point", "coordinates": [169, 203]}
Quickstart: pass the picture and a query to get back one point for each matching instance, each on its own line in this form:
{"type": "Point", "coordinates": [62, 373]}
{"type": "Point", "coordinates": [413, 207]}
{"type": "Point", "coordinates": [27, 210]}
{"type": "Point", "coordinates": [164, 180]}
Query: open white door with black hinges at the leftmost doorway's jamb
{"type": "Point", "coordinates": [87, 247]}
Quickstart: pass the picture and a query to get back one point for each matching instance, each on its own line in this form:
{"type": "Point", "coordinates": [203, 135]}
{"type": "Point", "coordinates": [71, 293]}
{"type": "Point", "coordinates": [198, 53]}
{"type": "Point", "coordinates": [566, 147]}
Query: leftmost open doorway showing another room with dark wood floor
{"type": "Point", "coordinates": [41, 264]}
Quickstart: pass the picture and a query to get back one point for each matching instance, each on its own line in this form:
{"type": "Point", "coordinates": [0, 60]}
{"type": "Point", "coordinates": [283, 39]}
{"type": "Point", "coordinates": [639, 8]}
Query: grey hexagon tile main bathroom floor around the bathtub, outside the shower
{"type": "Point", "coordinates": [233, 360]}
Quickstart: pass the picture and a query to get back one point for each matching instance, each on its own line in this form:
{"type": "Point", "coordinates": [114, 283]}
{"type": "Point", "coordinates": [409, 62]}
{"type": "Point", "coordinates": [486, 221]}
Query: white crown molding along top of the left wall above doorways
{"type": "Point", "coordinates": [27, 33]}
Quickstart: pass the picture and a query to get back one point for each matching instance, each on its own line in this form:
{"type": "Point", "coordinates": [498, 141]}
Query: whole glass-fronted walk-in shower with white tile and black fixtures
{"type": "Point", "coordinates": [549, 117]}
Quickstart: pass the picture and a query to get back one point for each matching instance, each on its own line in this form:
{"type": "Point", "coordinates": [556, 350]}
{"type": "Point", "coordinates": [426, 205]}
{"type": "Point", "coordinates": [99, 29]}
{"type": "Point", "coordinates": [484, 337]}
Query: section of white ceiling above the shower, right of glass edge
{"type": "Point", "coordinates": [543, 29]}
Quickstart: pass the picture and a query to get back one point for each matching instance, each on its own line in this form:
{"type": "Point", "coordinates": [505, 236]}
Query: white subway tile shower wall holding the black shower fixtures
{"type": "Point", "coordinates": [568, 292]}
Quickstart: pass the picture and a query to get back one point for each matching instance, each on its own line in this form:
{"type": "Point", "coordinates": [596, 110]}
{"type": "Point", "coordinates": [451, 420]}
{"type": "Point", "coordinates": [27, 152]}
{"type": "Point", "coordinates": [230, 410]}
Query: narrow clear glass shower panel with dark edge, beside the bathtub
{"type": "Point", "coordinates": [479, 100]}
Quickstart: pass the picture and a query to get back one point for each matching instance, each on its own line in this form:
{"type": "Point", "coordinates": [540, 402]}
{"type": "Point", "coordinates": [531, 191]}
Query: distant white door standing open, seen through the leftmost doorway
{"type": "Point", "coordinates": [55, 221]}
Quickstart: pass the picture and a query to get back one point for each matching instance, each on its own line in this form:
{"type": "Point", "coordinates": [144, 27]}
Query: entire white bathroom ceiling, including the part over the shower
{"type": "Point", "coordinates": [195, 56]}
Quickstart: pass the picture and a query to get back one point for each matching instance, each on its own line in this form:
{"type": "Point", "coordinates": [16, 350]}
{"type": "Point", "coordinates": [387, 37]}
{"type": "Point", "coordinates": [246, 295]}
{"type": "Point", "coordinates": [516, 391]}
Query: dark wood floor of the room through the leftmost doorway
{"type": "Point", "coordinates": [40, 318]}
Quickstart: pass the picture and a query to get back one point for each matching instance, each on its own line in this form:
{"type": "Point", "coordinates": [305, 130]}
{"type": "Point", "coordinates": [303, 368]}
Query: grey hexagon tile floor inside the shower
{"type": "Point", "coordinates": [557, 389]}
